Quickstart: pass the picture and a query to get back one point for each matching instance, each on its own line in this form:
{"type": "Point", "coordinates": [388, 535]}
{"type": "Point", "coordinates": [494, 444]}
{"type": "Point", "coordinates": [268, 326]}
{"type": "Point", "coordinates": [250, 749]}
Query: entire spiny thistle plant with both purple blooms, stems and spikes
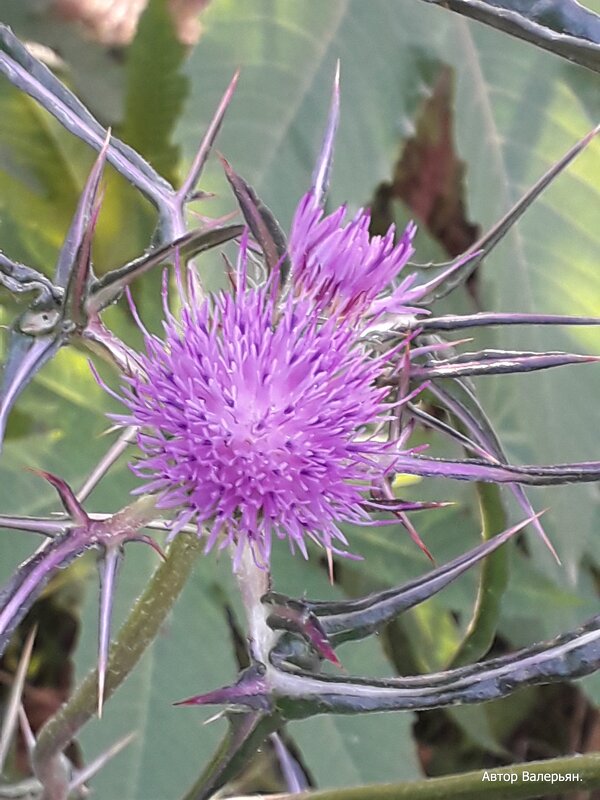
{"type": "Point", "coordinates": [284, 407]}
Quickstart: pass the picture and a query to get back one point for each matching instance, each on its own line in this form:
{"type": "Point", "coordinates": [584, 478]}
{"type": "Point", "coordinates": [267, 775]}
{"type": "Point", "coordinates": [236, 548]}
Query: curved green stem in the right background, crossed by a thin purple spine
{"type": "Point", "coordinates": [492, 582]}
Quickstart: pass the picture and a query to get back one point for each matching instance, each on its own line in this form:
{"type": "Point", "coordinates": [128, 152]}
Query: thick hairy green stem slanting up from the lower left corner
{"type": "Point", "coordinates": [138, 632]}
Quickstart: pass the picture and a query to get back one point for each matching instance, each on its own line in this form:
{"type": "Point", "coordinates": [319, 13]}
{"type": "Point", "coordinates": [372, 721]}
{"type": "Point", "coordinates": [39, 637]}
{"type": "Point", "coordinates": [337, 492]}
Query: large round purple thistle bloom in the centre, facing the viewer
{"type": "Point", "coordinates": [254, 419]}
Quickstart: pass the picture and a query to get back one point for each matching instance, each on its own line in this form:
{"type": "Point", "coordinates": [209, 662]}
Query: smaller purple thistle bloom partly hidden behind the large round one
{"type": "Point", "coordinates": [344, 269]}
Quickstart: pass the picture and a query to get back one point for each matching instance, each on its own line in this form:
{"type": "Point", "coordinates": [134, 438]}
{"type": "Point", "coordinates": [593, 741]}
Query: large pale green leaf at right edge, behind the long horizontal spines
{"type": "Point", "coordinates": [512, 125]}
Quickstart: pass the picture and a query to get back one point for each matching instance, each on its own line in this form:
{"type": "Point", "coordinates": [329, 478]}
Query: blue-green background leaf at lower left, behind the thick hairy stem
{"type": "Point", "coordinates": [192, 654]}
